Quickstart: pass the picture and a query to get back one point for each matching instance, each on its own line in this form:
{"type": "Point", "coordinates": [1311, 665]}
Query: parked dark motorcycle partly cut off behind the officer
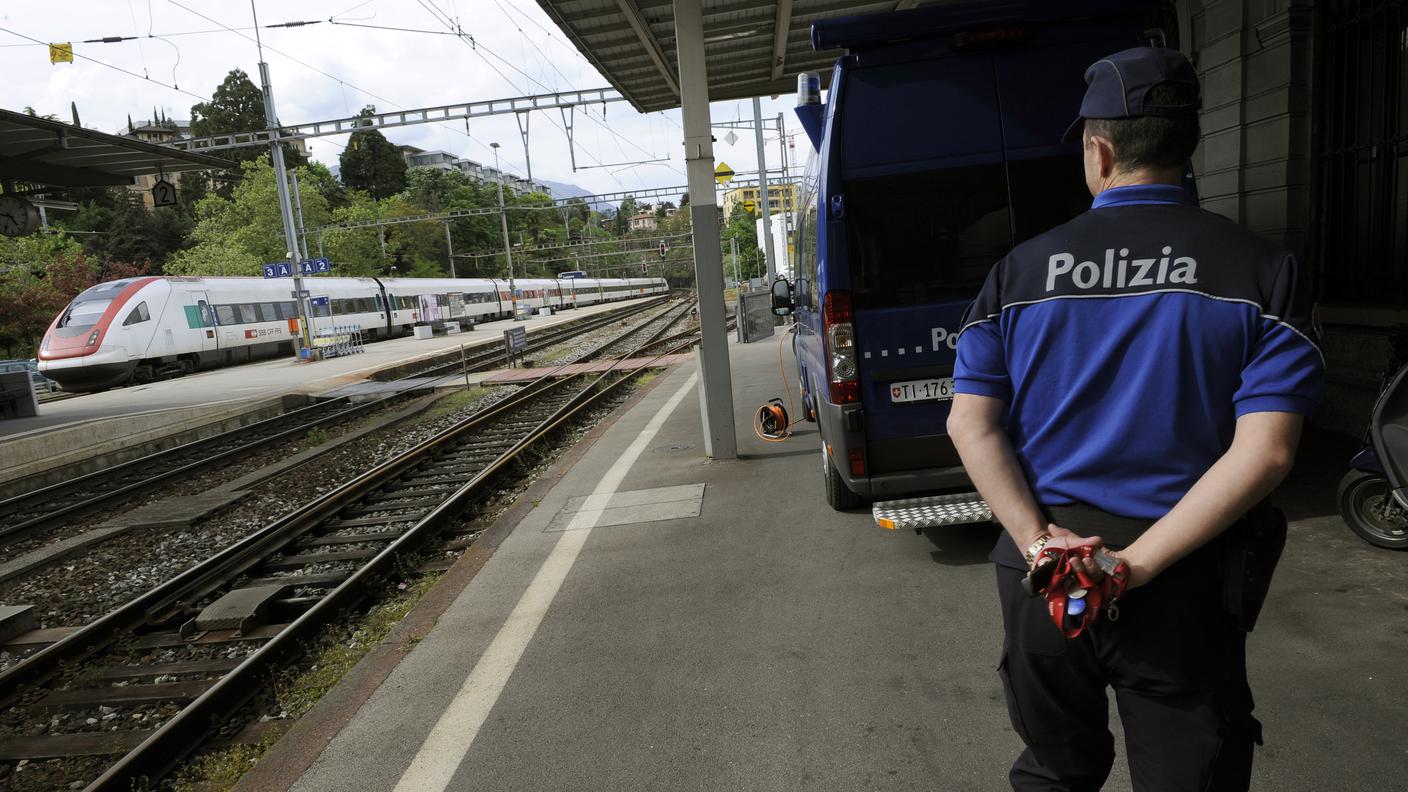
{"type": "Point", "coordinates": [1372, 495]}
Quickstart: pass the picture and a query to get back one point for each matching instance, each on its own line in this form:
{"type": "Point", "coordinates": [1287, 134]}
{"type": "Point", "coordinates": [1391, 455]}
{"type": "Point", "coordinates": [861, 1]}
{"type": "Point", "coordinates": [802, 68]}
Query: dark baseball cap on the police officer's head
{"type": "Point", "coordinates": [1119, 87]}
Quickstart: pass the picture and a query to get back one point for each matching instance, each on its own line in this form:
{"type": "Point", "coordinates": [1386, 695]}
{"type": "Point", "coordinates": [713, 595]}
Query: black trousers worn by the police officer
{"type": "Point", "coordinates": [1179, 672]}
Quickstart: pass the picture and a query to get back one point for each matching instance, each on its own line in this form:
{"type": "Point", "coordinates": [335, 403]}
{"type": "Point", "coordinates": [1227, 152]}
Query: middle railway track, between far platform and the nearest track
{"type": "Point", "coordinates": [57, 505]}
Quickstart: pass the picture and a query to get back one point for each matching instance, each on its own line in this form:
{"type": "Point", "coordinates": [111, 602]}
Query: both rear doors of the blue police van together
{"type": "Point", "coordinates": [924, 233]}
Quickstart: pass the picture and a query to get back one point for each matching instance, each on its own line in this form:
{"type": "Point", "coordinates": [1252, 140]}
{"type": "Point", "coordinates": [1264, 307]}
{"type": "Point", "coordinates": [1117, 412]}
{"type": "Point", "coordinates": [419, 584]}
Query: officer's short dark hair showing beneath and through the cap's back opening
{"type": "Point", "coordinates": [1152, 142]}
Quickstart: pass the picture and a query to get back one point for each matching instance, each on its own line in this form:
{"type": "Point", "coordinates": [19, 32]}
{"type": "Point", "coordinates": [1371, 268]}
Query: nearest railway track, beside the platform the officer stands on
{"type": "Point", "coordinates": [220, 629]}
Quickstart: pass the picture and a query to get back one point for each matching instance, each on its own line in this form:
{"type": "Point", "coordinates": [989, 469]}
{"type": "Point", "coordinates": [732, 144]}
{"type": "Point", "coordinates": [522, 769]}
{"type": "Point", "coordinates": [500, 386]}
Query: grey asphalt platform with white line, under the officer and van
{"type": "Point", "coordinates": [647, 619]}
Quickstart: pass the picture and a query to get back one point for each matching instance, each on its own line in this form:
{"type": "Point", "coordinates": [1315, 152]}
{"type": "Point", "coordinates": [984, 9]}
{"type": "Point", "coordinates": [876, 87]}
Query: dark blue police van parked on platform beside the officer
{"type": "Point", "coordinates": [937, 151]}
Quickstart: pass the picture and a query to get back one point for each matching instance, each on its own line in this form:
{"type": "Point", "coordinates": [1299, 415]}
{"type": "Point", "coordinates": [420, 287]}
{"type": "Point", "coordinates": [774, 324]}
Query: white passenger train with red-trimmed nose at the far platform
{"type": "Point", "coordinates": [143, 329]}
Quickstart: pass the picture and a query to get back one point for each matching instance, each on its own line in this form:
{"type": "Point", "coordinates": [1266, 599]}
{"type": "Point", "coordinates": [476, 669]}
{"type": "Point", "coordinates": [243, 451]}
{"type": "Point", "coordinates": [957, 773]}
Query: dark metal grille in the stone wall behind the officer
{"type": "Point", "coordinates": [1364, 208]}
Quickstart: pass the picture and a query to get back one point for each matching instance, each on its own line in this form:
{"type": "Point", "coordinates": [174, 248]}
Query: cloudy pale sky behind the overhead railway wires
{"type": "Point", "coordinates": [350, 60]}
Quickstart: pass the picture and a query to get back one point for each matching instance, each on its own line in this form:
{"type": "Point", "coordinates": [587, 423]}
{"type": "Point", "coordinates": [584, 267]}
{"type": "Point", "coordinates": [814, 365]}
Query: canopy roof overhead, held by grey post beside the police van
{"type": "Point", "coordinates": [753, 47]}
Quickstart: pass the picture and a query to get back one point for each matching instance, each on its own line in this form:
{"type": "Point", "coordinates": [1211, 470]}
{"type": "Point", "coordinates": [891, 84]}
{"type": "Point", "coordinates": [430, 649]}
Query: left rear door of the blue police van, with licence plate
{"type": "Point", "coordinates": [927, 215]}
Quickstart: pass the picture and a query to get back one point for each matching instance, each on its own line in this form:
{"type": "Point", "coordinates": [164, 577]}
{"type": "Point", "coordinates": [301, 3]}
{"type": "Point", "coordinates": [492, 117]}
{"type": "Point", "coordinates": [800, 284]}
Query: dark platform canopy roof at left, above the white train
{"type": "Point", "coordinates": [57, 156]}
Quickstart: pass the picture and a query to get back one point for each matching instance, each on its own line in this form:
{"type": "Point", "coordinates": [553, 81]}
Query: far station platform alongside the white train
{"type": "Point", "coordinates": [99, 423]}
